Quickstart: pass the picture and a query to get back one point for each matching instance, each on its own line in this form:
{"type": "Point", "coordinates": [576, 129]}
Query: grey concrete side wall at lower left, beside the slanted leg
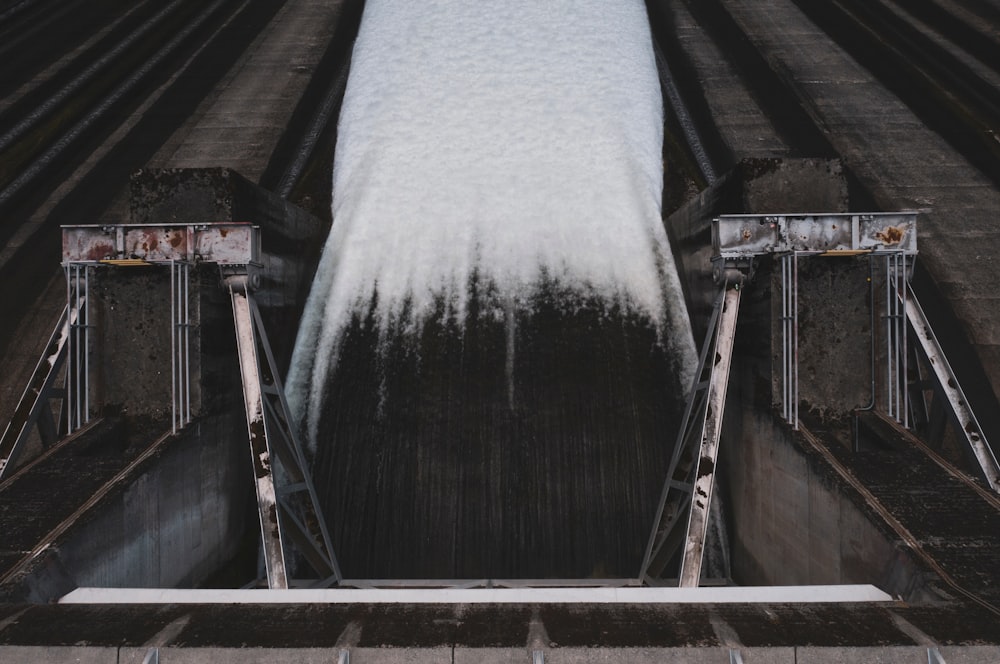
{"type": "Point", "coordinates": [177, 521]}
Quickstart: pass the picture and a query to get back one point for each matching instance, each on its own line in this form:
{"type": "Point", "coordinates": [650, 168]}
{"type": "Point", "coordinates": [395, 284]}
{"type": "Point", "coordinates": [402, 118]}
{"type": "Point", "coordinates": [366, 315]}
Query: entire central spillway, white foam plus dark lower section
{"type": "Point", "coordinates": [492, 355]}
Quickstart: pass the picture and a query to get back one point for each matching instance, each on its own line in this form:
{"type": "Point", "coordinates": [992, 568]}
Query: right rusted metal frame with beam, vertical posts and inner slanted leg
{"type": "Point", "coordinates": [738, 241]}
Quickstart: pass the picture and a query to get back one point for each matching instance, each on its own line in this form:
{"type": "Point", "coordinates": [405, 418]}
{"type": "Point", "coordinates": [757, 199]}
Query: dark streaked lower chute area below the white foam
{"type": "Point", "coordinates": [440, 456]}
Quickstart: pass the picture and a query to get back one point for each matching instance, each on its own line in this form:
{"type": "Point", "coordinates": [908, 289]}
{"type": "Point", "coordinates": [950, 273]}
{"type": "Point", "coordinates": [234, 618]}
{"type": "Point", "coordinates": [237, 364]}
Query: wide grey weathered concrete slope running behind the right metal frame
{"type": "Point", "coordinates": [903, 164]}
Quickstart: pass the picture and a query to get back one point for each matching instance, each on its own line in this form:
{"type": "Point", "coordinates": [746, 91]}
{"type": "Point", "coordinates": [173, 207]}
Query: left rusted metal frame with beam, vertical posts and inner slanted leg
{"type": "Point", "coordinates": [289, 511]}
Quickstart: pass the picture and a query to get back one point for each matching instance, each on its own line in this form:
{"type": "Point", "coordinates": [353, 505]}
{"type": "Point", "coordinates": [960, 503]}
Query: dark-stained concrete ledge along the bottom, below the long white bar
{"type": "Point", "coordinates": [493, 629]}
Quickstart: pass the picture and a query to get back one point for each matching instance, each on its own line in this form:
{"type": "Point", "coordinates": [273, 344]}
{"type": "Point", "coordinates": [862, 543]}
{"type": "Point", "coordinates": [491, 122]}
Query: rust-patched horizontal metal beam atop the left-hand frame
{"type": "Point", "coordinates": [223, 243]}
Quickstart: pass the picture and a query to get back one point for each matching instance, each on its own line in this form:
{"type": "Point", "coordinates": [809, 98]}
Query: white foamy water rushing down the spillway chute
{"type": "Point", "coordinates": [509, 140]}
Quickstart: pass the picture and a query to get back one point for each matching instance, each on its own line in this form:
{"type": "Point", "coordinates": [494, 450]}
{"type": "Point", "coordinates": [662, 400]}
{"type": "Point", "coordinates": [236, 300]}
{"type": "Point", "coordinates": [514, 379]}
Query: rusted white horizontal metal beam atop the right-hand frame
{"type": "Point", "coordinates": [748, 235]}
